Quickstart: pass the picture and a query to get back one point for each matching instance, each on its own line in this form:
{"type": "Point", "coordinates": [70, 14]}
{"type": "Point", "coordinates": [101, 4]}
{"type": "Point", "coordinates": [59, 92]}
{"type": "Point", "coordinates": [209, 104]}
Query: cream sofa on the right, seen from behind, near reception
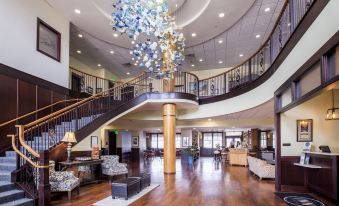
{"type": "Point", "coordinates": [261, 168]}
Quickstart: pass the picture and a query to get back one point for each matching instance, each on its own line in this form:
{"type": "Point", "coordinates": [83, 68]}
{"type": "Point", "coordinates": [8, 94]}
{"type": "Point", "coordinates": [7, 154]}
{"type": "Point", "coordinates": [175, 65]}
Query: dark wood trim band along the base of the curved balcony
{"type": "Point", "coordinates": [303, 26]}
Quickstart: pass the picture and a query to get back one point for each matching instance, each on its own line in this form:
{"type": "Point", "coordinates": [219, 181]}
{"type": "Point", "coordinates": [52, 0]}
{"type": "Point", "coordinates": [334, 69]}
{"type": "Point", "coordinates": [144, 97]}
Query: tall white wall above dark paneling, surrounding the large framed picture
{"type": "Point", "coordinates": [18, 36]}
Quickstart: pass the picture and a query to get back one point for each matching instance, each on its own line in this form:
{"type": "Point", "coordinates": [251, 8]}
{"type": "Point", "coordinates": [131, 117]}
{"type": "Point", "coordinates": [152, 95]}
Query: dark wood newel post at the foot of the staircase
{"type": "Point", "coordinates": [44, 186]}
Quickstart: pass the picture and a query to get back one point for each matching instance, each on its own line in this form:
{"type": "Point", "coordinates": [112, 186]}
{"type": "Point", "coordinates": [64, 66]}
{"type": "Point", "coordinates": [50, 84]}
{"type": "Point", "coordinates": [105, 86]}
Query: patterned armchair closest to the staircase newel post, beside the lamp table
{"type": "Point", "coordinates": [62, 181]}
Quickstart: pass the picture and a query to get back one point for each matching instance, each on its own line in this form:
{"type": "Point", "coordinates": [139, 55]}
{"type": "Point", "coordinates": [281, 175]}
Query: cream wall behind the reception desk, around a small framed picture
{"type": "Point", "coordinates": [324, 132]}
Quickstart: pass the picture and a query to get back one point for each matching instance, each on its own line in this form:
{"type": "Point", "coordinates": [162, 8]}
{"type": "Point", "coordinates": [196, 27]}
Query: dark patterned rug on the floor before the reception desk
{"type": "Point", "coordinates": [295, 199]}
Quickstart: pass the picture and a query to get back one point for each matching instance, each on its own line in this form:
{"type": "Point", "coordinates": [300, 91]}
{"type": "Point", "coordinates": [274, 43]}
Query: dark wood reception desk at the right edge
{"type": "Point", "coordinates": [321, 175]}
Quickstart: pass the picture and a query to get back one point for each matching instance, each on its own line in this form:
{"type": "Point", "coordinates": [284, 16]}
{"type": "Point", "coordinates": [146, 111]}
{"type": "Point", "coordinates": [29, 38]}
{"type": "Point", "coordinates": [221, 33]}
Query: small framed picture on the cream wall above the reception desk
{"type": "Point", "coordinates": [305, 130]}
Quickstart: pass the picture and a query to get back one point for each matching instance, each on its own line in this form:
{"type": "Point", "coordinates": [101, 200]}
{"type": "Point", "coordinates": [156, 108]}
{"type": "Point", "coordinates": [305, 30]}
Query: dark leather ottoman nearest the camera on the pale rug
{"type": "Point", "coordinates": [126, 187]}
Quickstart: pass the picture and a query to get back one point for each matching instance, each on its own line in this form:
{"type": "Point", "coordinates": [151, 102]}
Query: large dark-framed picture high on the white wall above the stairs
{"type": "Point", "coordinates": [48, 40]}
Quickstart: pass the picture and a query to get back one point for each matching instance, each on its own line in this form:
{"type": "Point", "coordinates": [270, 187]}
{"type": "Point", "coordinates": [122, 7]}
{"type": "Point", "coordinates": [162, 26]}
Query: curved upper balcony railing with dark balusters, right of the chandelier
{"type": "Point", "coordinates": [256, 65]}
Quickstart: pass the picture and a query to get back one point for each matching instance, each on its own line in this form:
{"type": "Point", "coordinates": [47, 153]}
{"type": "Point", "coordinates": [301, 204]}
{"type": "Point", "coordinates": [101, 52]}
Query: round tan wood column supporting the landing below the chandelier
{"type": "Point", "coordinates": [169, 116]}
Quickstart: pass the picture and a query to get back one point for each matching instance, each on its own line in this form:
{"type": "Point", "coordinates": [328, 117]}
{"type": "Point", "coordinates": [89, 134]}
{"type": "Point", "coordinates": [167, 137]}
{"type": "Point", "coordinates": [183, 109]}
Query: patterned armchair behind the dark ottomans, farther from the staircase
{"type": "Point", "coordinates": [112, 167]}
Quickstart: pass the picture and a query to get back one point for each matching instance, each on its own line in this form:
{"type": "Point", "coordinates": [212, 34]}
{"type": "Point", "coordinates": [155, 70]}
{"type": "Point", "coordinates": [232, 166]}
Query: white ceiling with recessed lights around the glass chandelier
{"type": "Point", "coordinates": [243, 20]}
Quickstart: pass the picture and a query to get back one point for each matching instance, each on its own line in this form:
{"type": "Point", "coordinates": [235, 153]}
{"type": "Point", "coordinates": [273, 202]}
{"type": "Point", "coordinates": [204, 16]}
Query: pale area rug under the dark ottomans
{"type": "Point", "coordinates": [108, 201]}
